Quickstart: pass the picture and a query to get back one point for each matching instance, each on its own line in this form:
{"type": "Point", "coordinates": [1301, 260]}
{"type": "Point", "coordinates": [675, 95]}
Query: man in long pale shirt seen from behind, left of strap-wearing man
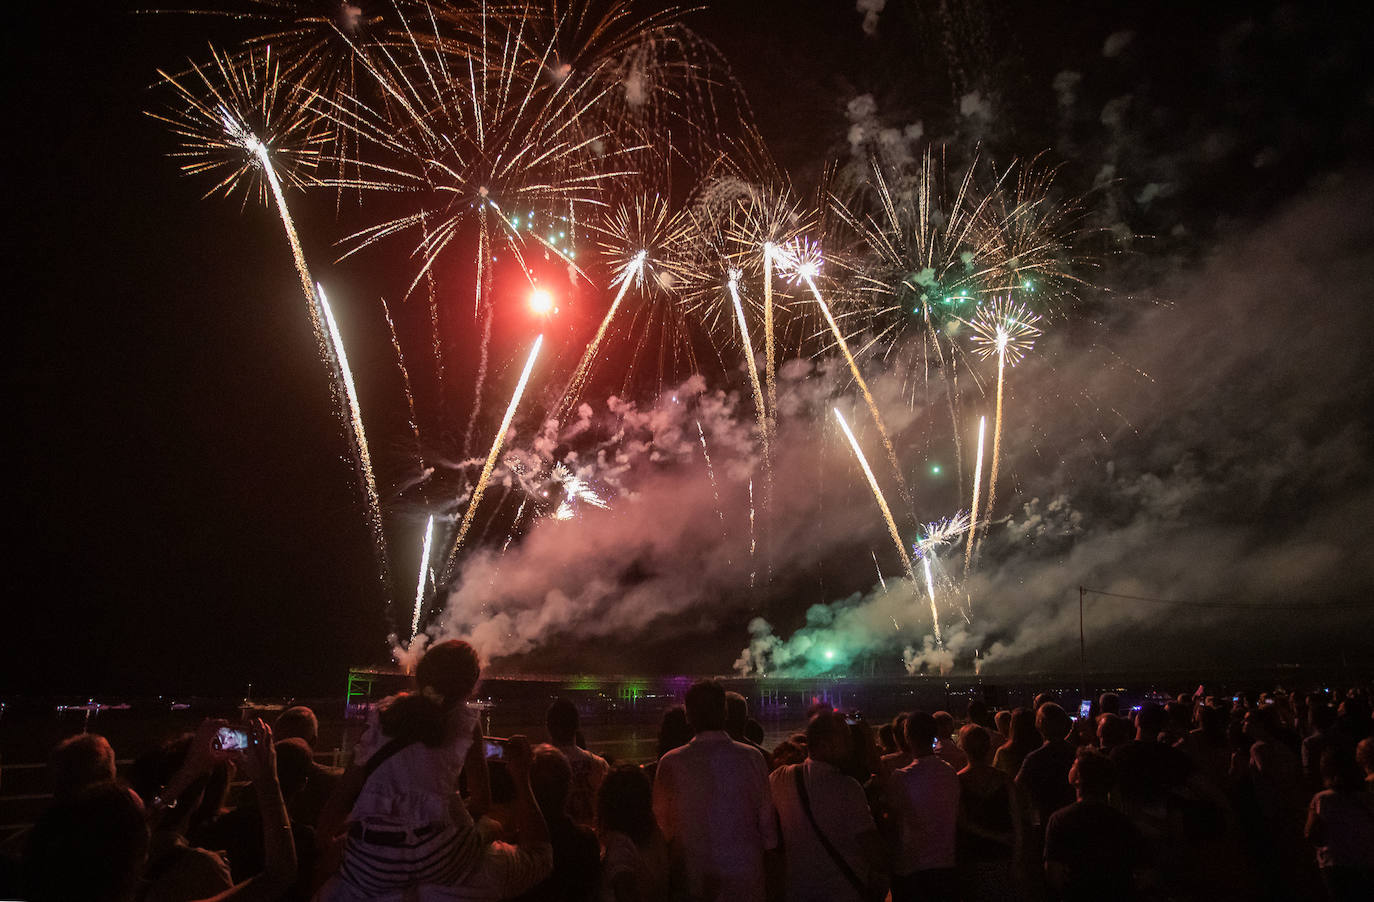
{"type": "Point", "coordinates": [712, 804]}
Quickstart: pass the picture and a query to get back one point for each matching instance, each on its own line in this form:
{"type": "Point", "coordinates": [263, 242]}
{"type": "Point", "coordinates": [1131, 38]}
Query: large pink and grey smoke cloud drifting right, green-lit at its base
{"type": "Point", "coordinates": [1208, 441]}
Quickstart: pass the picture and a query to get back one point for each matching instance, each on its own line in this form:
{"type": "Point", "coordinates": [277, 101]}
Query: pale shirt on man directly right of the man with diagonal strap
{"type": "Point", "coordinates": [925, 798]}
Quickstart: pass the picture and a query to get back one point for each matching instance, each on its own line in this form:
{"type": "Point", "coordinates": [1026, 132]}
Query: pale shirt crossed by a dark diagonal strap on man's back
{"type": "Point", "coordinates": [842, 812]}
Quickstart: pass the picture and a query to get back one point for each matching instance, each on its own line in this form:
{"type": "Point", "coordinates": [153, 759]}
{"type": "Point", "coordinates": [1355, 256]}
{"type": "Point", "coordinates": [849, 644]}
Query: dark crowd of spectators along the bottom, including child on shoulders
{"type": "Point", "coordinates": [1257, 797]}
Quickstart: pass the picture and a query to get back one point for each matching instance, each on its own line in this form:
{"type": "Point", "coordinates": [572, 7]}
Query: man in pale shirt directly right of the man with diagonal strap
{"type": "Point", "coordinates": [925, 802]}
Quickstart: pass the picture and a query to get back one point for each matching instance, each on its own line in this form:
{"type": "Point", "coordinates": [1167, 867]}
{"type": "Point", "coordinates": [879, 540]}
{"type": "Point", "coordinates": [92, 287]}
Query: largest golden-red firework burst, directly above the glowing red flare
{"type": "Point", "coordinates": [482, 138]}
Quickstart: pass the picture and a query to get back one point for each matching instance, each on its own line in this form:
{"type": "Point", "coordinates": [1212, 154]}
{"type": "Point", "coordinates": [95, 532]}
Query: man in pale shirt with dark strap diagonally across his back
{"type": "Point", "coordinates": [842, 813]}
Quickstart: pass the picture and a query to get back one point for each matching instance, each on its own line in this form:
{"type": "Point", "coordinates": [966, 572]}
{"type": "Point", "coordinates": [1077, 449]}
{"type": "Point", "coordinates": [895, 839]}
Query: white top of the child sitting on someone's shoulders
{"type": "Point", "coordinates": [418, 784]}
